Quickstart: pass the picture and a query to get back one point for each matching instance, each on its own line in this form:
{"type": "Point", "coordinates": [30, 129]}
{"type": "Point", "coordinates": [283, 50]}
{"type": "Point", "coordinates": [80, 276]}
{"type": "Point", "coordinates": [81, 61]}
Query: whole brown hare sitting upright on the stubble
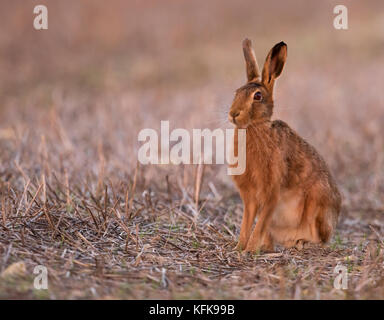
{"type": "Point", "coordinates": [286, 183]}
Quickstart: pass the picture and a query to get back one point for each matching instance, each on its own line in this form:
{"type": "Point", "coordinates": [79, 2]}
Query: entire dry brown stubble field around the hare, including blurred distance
{"type": "Point", "coordinates": [74, 97]}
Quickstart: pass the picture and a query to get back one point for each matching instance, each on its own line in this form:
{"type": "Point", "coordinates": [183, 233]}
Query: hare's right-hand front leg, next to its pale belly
{"type": "Point", "coordinates": [261, 238]}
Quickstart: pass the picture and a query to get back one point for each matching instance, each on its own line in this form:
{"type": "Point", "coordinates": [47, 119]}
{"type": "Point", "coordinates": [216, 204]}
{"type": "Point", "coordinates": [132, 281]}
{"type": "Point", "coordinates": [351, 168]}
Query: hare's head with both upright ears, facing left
{"type": "Point", "coordinates": [253, 102]}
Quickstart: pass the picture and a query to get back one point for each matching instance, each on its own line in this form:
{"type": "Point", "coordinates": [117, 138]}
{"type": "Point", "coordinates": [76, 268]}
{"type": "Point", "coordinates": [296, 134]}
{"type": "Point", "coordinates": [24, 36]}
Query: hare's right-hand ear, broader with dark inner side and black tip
{"type": "Point", "coordinates": [274, 63]}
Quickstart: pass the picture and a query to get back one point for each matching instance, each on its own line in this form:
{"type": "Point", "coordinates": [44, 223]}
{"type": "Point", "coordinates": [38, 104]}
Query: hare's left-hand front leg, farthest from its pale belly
{"type": "Point", "coordinates": [250, 209]}
